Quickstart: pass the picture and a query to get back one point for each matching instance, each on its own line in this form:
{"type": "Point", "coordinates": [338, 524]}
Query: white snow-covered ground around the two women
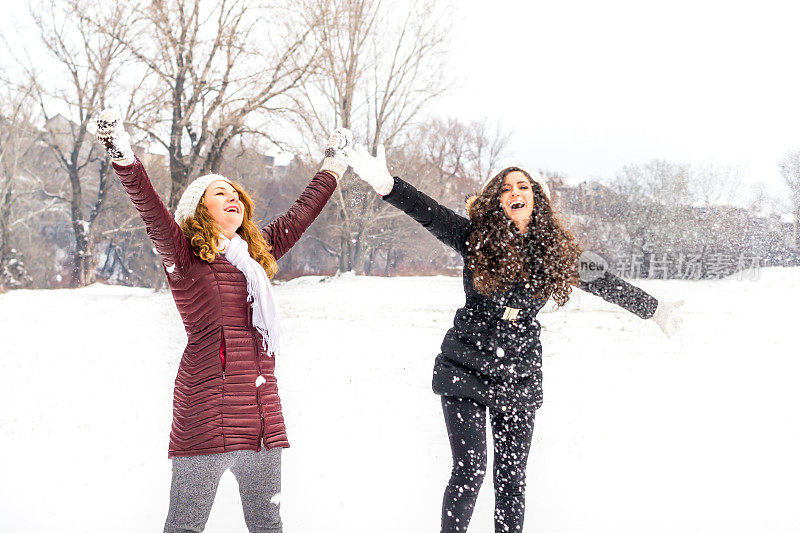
{"type": "Point", "coordinates": [637, 433]}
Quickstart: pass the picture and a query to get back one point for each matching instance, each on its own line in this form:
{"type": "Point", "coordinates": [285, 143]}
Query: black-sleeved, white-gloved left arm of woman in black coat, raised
{"type": "Point", "coordinates": [443, 223]}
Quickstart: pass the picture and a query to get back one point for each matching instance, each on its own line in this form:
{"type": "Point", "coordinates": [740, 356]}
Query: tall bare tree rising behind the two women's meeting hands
{"type": "Point", "coordinates": [380, 65]}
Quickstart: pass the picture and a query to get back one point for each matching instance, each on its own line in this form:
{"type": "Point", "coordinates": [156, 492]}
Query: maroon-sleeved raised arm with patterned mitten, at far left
{"type": "Point", "coordinates": [162, 229]}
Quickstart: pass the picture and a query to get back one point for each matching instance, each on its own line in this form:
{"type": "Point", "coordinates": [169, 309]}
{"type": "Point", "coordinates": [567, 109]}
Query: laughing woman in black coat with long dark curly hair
{"type": "Point", "coordinates": [516, 256]}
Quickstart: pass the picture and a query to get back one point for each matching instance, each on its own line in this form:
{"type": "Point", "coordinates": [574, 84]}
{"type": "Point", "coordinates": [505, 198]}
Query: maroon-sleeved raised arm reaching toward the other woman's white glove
{"type": "Point", "coordinates": [286, 230]}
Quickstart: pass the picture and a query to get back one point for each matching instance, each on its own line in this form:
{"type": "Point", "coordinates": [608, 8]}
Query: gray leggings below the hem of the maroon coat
{"type": "Point", "coordinates": [194, 485]}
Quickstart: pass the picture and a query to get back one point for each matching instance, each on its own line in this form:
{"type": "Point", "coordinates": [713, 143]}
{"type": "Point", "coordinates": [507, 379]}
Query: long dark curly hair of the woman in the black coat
{"type": "Point", "coordinates": [500, 255]}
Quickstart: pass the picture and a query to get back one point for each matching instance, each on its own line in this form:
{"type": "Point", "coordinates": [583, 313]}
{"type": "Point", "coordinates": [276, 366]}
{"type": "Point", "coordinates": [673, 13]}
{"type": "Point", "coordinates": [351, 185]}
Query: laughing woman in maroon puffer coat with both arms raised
{"type": "Point", "coordinates": [226, 409]}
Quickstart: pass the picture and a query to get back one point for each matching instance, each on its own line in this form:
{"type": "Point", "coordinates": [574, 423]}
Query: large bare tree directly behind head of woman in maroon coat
{"type": "Point", "coordinates": [217, 68]}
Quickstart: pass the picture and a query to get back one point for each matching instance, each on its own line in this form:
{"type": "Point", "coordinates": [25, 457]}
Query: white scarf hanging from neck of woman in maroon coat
{"type": "Point", "coordinates": [266, 317]}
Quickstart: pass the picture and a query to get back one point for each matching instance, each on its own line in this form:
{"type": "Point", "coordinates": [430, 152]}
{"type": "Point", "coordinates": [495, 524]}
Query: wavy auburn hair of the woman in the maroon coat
{"type": "Point", "coordinates": [203, 232]}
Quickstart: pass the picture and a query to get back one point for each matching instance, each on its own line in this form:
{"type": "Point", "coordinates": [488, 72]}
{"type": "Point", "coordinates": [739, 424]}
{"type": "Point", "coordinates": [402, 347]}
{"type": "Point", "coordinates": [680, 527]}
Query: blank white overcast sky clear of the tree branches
{"type": "Point", "coordinates": [587, 86]}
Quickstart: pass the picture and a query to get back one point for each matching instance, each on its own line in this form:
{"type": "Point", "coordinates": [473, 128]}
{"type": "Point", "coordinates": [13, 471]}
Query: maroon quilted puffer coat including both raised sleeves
{"type": "Point", "coordinates": [218, 409]}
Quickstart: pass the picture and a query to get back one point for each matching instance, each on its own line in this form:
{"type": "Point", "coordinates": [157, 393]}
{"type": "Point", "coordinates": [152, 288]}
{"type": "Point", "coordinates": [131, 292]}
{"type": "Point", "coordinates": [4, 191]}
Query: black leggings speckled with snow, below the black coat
{"type": "Point", "coordinates": [512, 432]}
